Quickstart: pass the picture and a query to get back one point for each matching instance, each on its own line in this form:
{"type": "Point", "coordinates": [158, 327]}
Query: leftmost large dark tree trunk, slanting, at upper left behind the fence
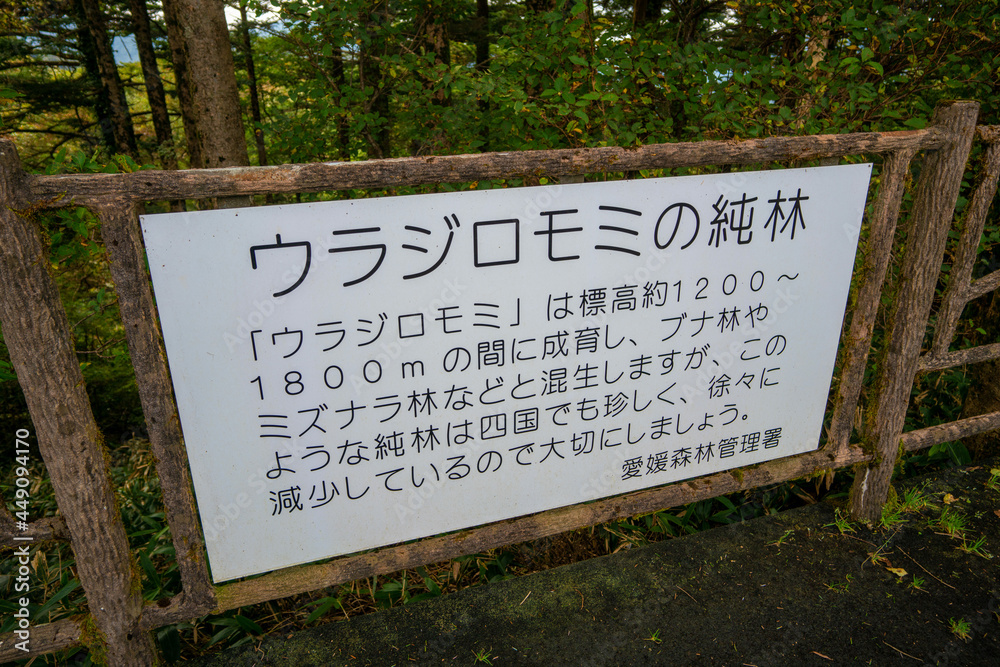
{"type": "Point", "coordinates": [122, 134]}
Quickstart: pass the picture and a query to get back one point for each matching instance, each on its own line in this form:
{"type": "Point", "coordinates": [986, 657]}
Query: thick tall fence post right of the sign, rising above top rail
{"type": "Point", "coordinates": [933, 210]}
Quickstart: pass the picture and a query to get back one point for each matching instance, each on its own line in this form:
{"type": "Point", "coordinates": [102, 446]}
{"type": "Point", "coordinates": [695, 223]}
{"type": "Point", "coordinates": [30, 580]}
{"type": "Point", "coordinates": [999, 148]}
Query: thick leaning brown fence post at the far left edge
{"type": "Point", "coordinates": [36, 331]}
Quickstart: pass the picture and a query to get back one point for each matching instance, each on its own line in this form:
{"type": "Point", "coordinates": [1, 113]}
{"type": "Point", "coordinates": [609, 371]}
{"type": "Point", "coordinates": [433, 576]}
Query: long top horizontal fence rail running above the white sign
{"type": "Point", "coordinates": [65, 190]}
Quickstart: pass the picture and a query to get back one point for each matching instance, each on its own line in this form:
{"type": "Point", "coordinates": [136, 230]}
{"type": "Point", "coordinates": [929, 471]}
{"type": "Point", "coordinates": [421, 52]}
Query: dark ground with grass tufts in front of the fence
{"type": "Point", "coordinates": [789, 589]}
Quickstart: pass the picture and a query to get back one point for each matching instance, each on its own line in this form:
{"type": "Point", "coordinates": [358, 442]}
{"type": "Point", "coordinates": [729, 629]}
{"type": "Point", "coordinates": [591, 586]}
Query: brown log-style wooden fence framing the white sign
{"type": "Point", "coordinates": [37, 333]}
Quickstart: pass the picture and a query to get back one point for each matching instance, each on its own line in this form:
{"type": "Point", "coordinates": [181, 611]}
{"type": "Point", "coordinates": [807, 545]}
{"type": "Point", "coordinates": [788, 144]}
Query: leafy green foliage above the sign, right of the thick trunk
{"type": "Point", "coordinates": [579, 76]}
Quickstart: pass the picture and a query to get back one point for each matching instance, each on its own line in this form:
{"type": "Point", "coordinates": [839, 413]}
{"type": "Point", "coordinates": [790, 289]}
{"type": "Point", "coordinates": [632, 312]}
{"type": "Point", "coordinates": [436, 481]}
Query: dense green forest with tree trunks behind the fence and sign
{"type": "Point", "coordinates": [300, 81]}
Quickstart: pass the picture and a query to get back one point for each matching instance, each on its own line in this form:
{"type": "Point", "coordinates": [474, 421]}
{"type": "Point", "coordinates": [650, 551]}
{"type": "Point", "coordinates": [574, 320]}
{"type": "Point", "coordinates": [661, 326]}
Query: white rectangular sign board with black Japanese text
{"type": "Point", "coordinates": [352, 374]}
